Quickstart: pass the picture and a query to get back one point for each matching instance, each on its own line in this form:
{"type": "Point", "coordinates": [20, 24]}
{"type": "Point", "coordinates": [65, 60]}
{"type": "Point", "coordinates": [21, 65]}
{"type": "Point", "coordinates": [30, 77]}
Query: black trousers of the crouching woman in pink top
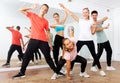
{"type": "Point", "coordinates": [78, 59]}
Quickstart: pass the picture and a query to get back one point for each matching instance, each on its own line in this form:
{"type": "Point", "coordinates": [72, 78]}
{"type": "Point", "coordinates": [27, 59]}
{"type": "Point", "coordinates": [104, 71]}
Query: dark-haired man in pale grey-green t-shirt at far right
{"type": "Point", "coordinates": [102, 41]}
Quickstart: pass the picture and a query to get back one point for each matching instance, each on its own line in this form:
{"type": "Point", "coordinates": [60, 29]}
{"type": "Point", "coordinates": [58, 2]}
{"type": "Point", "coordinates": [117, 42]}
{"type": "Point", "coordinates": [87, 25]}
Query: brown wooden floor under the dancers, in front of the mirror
{"type": "Point", "coordinates": [43, 75]}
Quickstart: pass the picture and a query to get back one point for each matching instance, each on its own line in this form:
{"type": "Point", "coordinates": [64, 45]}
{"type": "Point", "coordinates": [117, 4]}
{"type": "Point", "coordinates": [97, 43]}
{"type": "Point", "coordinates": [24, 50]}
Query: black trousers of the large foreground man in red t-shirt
{"type": "Point", "coordinates": [32, 46]}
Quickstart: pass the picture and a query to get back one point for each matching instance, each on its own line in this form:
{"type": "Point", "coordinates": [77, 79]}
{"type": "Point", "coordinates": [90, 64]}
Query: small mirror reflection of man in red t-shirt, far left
{"type": "Point", "coordinates": [16, 44]}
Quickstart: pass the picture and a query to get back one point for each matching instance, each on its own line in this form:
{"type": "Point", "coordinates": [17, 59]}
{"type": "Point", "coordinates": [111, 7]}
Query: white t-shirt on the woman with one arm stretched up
{"type": "Point", "coordinates": [84, 30]}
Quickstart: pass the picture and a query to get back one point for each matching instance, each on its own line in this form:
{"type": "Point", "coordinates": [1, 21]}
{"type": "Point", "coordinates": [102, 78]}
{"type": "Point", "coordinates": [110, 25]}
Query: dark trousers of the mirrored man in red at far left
{"type": "Point", "coordinates": [12, 49]}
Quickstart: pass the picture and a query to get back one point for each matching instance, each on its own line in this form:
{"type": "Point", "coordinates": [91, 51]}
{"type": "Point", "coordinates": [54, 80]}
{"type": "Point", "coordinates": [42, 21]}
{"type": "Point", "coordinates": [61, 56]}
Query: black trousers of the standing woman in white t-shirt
{"type": "Point", "coordinates": [91, 48]}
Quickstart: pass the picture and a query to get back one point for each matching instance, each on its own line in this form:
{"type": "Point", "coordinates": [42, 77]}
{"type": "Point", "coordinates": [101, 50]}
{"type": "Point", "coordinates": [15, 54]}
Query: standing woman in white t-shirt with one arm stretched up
{"type": "Point", "coordinates": [86, 29]}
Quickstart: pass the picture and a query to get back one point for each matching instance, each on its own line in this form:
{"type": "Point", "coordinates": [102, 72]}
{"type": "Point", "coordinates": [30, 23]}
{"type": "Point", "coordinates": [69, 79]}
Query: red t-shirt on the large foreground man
{"type": "Point", "coordinates": [38, 26]}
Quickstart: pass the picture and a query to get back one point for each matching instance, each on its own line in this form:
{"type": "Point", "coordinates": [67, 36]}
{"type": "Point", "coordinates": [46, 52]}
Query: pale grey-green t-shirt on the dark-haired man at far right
{"type": "Point", "coordinates": [101, 36]}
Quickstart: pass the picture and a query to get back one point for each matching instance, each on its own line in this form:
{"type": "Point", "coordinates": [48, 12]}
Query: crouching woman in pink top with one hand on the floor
{"type": "Point", "coordinates": [70, 56]}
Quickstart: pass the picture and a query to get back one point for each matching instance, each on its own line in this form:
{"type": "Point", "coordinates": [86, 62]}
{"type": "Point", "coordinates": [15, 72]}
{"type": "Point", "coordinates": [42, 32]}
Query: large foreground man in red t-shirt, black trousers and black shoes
{"type": "Point", "coordinates": [39, 37]}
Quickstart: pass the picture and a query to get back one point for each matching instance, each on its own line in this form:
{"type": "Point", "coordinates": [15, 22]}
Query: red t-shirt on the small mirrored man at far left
{"type": "Point", "coordinates": [16, 36]}
